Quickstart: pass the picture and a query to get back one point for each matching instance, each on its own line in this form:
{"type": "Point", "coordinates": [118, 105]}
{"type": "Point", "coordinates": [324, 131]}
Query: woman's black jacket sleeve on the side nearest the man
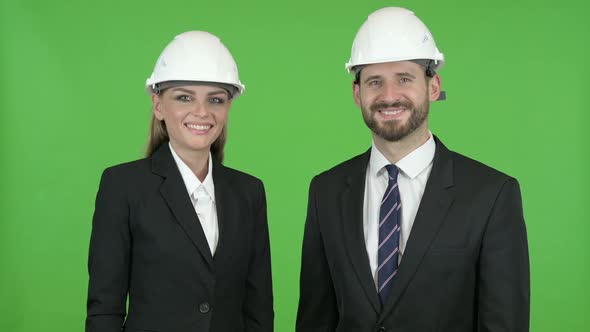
{"type": "Point", "coordinates": [258, 306]}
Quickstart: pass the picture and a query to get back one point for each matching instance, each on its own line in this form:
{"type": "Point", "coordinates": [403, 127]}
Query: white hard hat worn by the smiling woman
{"type": "Point", "coordinates": [196, 56]}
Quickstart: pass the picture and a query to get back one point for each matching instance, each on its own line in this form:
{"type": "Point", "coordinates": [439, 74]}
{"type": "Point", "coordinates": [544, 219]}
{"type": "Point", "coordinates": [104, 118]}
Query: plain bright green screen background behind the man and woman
{"type": "Point", "coordinates": [72, 102]}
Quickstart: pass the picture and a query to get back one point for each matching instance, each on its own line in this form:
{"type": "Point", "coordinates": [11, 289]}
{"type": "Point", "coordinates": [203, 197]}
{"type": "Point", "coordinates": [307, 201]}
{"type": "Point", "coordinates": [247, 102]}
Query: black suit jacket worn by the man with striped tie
{"type": "Point", "coordinates": [465, 266]}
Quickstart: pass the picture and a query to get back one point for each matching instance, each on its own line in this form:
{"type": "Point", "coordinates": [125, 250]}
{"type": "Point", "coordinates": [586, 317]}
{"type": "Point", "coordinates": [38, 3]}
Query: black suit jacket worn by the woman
{"type": "Point", "coordinates": [148, 243]}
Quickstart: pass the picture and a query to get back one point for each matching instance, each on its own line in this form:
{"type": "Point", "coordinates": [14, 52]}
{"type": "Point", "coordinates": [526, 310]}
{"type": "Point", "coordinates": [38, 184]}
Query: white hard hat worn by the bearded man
{"type": "Point", "coordinates": [393, 34]}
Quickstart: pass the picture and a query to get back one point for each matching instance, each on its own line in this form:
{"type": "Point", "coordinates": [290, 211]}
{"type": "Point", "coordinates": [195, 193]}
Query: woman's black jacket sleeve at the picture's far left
{"type": "Point", "coordinates": [108, 259]}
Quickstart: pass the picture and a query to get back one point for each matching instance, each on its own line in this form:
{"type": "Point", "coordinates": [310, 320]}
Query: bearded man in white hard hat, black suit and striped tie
{"type": "Point", "coordinates": [410, 236]}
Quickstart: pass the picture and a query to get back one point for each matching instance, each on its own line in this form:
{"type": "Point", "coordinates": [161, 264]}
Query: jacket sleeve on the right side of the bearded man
{"type": "Point", "coordinates": [503, 292]}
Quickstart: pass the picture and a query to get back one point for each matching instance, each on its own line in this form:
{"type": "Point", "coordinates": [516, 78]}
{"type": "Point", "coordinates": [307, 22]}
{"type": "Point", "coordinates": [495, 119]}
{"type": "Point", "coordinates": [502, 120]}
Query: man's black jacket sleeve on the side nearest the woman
{"type": "Point", "coordinates": [317, 300]}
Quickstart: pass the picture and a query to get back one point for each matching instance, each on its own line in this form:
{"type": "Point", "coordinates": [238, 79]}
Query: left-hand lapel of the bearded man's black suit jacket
{"type": "Point", "coordinates": [352, 223]}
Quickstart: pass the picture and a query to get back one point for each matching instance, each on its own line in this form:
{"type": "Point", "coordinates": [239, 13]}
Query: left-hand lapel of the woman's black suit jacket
{"type": "Point", "coordinates": [174, 193]}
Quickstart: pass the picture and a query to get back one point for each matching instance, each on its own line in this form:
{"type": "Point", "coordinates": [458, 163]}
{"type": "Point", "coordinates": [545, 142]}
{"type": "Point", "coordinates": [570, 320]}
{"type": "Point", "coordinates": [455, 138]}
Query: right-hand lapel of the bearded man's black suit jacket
{"type": "Point", "coordinates": [437, 198]}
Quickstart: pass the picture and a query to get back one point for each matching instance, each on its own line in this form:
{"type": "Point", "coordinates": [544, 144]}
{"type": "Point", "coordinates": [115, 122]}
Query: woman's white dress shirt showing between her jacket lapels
{"type": "Point", "coordinates": [202, 196]}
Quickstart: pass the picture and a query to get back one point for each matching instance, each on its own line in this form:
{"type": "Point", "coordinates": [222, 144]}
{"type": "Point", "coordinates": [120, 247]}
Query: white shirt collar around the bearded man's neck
{"type": "Point", "coordinates": [411, 165]}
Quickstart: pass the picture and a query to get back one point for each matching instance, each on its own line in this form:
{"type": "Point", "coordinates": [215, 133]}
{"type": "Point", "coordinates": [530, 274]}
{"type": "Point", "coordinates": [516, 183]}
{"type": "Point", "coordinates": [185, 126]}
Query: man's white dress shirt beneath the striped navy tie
{"type": "Point", "coordinates": [414, 171]}
